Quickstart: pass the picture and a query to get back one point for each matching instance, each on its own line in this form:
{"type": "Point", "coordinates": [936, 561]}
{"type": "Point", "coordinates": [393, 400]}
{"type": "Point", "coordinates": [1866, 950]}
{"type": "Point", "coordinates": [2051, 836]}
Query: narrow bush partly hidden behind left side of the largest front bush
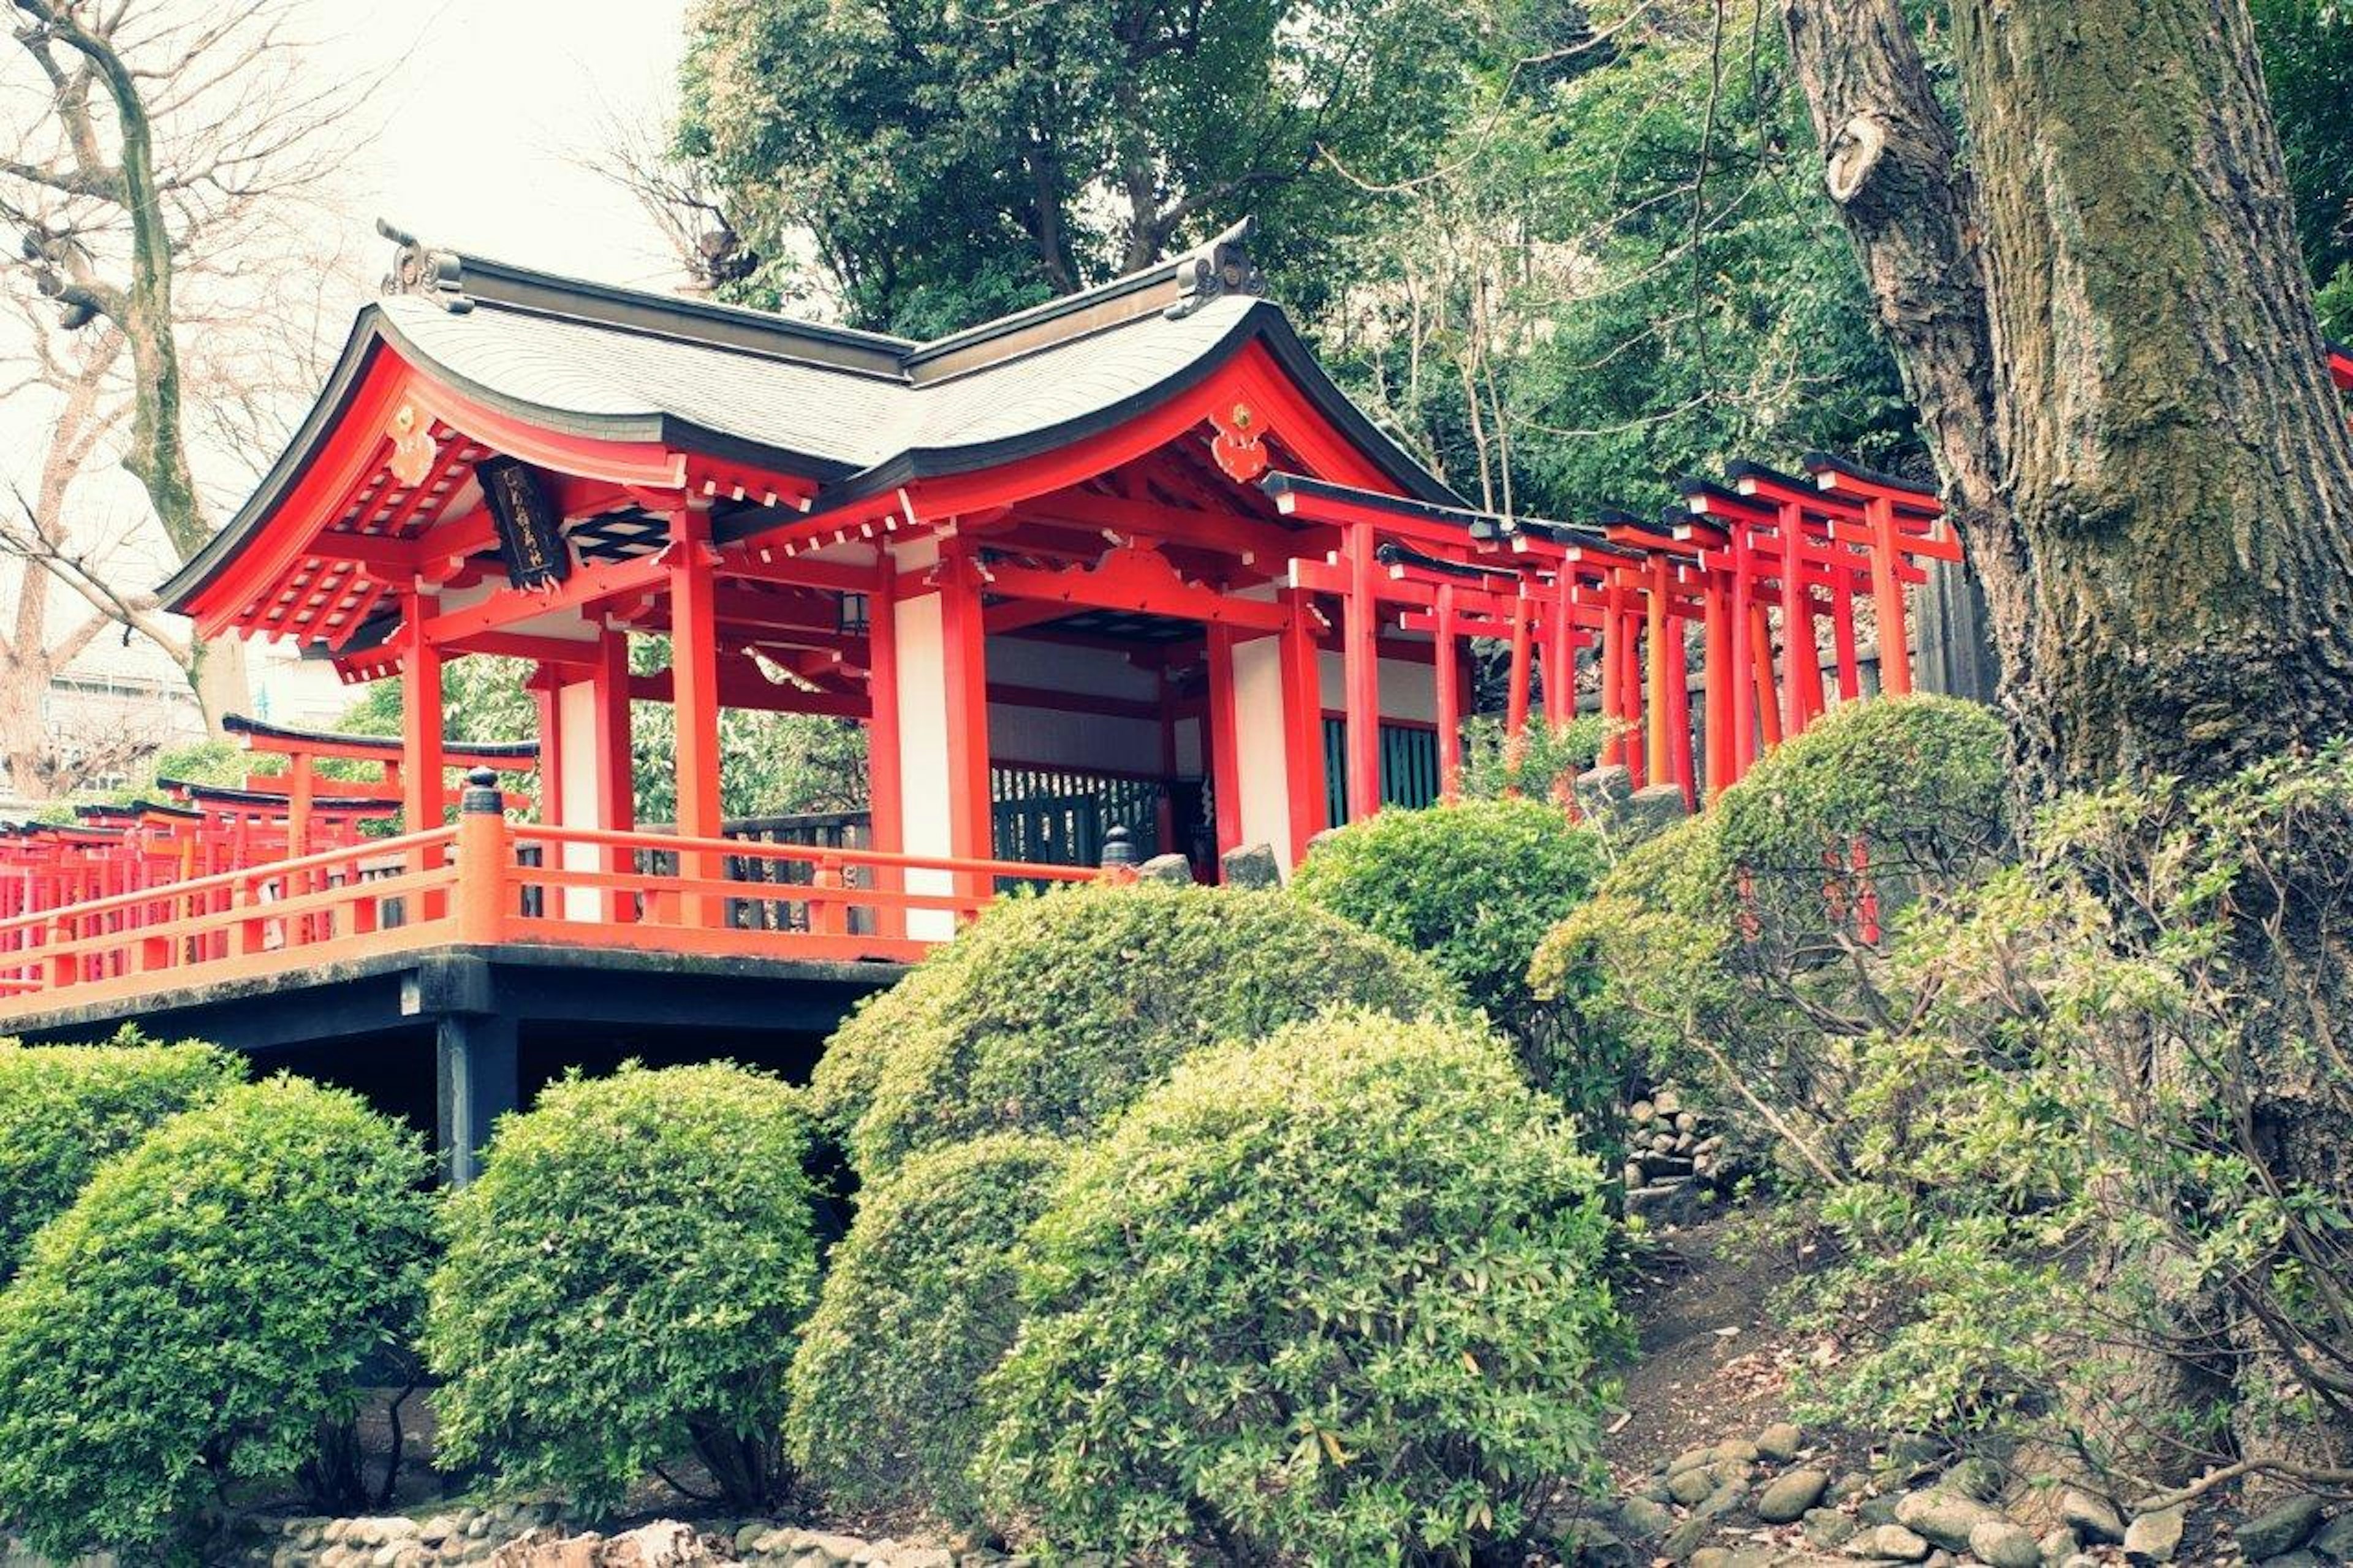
{"type": "Point", "coordinates": [919, 1308]}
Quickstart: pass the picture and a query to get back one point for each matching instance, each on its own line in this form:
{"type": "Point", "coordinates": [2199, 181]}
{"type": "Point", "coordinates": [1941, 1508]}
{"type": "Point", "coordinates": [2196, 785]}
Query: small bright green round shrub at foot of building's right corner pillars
{"type": "Point", "coordinates": [1472, 886]}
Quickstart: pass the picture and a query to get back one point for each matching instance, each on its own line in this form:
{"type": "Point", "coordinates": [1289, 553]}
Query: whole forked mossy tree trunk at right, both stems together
{"type": "Point", "coordinates": [2112, 343]}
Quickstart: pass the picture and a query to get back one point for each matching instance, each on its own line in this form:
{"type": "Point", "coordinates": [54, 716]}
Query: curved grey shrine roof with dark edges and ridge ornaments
{"type": "Point", "coordinates": [853, 411]}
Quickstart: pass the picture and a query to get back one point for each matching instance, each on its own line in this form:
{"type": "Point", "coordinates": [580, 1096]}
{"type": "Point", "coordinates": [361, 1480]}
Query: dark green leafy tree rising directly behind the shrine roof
{"type": "Point", "coordinates": [940, 164]}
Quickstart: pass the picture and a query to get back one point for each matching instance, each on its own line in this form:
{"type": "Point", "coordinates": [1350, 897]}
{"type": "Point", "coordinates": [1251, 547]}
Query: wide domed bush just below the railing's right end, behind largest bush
{"type": "Point", "coordinates": [1055, 1014]}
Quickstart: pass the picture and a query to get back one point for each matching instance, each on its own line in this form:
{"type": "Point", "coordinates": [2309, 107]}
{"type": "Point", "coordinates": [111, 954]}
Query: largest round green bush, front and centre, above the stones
{"type": "Point", "coordinates": [1324, 1298]}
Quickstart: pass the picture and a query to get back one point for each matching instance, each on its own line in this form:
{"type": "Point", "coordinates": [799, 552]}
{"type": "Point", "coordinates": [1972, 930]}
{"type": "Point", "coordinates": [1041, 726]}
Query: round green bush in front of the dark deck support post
{"type": "Point", "coordinates": [625, 1284]}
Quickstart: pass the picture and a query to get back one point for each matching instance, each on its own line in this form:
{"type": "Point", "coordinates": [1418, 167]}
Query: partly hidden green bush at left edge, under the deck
{"type": "Point", "coordinates": [65, 1110]}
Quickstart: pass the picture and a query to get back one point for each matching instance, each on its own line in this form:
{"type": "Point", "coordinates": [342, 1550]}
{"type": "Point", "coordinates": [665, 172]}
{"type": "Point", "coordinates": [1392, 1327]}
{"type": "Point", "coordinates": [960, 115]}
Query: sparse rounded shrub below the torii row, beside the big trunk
{"type": "Point", "coordinates": [1735, 950]}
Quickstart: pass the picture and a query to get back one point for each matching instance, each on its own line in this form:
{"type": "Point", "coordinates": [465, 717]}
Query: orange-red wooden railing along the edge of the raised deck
{"type": "Point", "coordinates": [491, 882]}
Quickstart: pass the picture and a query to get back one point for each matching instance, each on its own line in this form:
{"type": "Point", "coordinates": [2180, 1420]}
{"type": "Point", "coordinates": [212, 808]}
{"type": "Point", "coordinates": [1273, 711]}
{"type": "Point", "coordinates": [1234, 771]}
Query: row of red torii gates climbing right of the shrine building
{"type": "Point", "coordinates": [1761, 564]}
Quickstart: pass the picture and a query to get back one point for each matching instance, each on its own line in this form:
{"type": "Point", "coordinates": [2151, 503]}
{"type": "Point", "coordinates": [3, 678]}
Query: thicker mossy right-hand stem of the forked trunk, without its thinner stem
{"type": "Point", "coordinates": [2178, 460]}
